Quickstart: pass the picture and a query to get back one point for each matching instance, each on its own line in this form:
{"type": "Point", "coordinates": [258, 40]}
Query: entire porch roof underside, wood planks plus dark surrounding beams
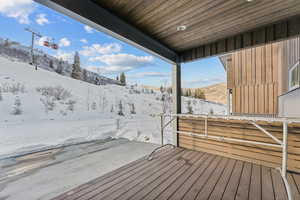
{"type": "Point", "coordinates": [208, 23]}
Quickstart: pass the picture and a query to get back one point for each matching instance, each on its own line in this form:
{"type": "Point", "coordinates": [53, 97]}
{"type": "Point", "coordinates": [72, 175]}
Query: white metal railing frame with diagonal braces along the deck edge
{"type": "Point", "coordinates": [252, 120]}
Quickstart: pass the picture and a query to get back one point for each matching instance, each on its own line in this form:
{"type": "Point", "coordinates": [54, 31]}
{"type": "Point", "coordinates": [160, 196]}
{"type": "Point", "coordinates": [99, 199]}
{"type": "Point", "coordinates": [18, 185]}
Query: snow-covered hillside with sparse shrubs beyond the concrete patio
{"type": "Point", "coordinates": [42, 108]}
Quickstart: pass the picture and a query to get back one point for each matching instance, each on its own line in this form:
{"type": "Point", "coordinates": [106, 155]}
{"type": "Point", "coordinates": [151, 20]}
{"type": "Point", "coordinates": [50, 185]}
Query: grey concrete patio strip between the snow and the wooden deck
{"type": "Point", "coordinates": [45, 174]}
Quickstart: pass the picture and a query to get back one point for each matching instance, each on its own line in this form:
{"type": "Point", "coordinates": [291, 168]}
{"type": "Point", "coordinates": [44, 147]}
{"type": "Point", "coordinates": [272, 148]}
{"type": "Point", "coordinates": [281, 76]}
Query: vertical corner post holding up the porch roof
{"type": "Point", "coordinates": [176, 92]}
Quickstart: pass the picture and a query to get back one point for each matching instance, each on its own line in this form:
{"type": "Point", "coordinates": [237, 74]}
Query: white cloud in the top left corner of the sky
{"type": "Point", "coordinates": [18, 9]}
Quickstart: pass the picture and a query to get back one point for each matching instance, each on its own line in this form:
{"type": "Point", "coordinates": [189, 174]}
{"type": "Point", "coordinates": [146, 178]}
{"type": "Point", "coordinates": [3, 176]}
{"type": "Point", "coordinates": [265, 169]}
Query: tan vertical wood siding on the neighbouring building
{"type": "Point", "coordinates": [253, 76]}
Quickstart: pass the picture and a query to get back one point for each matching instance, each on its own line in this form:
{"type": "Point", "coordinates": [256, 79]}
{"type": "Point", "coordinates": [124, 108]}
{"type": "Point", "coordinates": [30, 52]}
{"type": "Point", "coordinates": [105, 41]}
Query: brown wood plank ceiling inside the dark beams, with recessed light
{"type": "Point", "coordinates": [206, 20]}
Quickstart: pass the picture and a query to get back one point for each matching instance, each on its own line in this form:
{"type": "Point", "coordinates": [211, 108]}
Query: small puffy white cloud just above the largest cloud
{"type": "Point", "coordinates": [97, 49]}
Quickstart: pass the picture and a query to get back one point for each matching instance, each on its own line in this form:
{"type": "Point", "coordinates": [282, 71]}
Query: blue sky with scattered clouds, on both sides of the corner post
{"type": "Point", "coordinates": [99, 52]}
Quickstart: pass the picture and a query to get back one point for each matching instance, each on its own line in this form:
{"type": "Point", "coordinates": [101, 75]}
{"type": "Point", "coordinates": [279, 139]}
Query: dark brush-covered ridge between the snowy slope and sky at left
{"type": "Point", "coordinates": [18, 52]}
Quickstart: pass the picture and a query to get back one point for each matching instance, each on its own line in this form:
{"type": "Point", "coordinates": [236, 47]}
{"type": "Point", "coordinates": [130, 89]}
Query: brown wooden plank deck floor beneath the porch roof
{"type": "Point", "coordinates": [187, 175]}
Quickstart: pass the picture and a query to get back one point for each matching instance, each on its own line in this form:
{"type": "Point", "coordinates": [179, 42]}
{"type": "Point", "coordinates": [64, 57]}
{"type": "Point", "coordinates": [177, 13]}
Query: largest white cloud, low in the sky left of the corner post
{"type": "Point", "coordinates": [117, 63]}
